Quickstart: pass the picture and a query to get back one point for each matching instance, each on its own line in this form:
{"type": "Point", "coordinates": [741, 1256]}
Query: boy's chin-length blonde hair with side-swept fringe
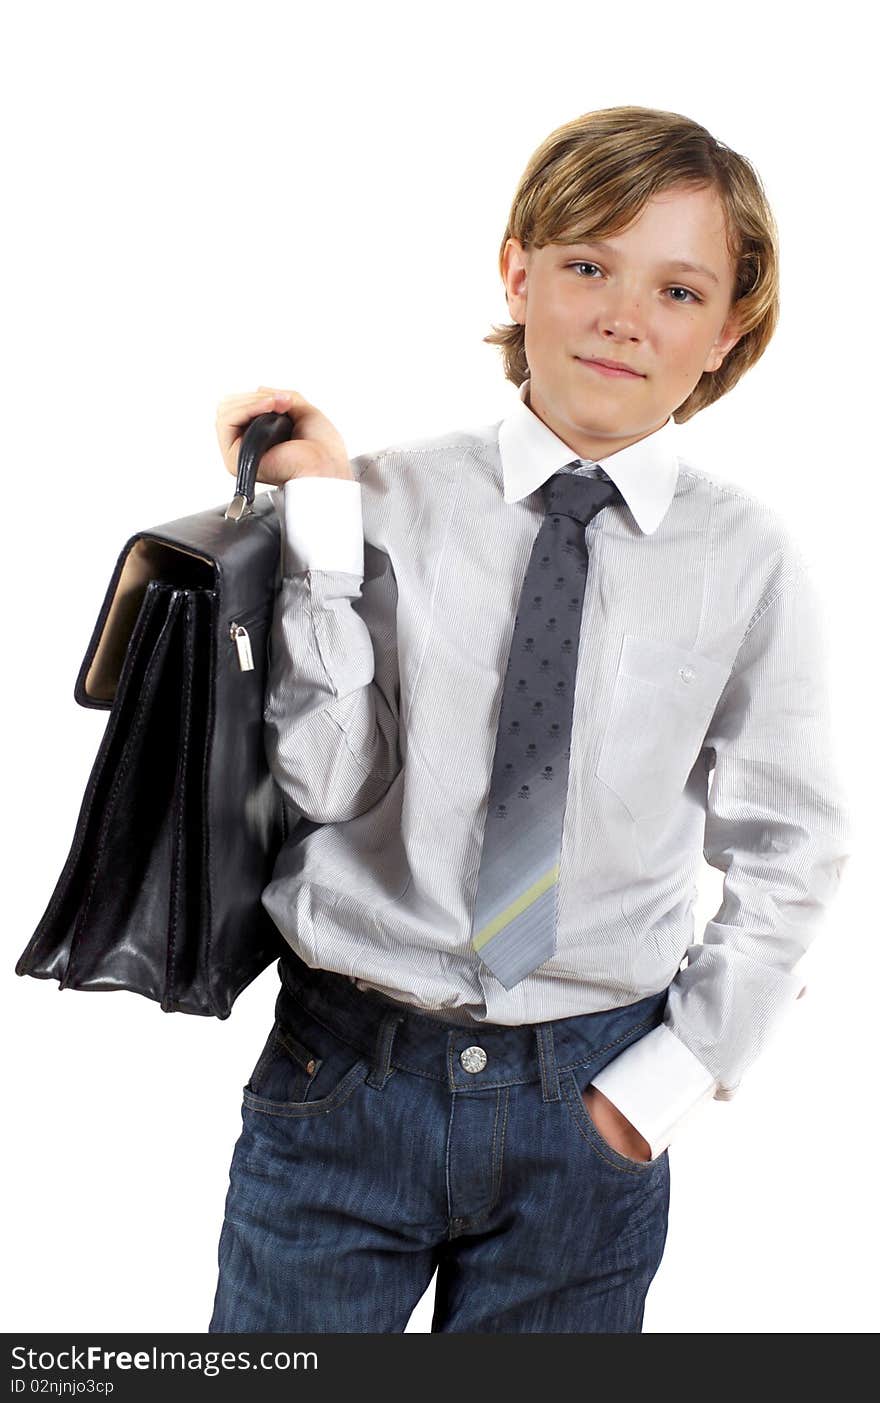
{"type": "Point", "coordinates": [593, 177]}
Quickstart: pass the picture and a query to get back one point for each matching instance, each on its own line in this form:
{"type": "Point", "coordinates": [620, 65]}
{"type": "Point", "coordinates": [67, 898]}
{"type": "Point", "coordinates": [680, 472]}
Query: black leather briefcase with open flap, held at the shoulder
{"type": "Point", "coordinates": [182, 820]}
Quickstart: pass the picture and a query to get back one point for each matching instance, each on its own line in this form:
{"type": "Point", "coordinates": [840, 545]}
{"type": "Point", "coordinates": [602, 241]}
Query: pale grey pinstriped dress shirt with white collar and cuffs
{"type": "Point", "coordinates": [701, 653]}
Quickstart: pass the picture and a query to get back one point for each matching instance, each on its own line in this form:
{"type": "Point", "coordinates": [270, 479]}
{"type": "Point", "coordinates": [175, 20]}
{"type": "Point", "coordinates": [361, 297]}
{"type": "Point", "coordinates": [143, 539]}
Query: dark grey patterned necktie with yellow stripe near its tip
{"type": "Point", "coordinates": [514, 922]}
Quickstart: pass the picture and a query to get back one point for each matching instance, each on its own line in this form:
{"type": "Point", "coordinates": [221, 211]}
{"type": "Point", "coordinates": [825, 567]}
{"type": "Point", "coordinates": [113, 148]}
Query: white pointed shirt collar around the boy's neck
{"type": "Point", "coordinates": [646, 472]}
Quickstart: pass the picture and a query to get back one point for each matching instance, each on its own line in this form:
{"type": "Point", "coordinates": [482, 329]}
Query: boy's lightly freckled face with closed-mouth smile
{"type": "Point", "coordinates": [625, 301]}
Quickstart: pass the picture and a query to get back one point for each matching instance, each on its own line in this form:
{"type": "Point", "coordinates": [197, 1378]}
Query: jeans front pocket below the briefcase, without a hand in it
{"type": "Point", "coordinates": [304, 1068]}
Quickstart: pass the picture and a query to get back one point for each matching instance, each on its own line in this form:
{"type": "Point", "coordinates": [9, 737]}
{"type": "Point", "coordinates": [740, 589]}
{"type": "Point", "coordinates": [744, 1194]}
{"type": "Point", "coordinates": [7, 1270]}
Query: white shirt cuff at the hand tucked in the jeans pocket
{"type": "Point", "coordinates": [656, 1082]}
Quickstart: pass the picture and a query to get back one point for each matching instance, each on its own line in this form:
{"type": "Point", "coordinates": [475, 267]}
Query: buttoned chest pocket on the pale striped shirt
{"type": "Point", "coordinates": [660, 709]}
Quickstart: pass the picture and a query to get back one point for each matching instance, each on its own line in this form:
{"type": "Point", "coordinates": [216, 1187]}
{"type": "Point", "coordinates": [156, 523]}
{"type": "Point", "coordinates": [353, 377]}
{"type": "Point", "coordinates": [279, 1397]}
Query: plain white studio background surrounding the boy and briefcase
{"type": "Point", "coordinates": [201, 200]}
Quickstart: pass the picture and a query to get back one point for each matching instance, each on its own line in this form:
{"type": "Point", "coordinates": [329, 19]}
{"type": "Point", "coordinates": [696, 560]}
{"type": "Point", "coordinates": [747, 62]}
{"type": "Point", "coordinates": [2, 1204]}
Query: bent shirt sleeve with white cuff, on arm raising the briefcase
{"type": "Point", "coordinates": [333, 691]}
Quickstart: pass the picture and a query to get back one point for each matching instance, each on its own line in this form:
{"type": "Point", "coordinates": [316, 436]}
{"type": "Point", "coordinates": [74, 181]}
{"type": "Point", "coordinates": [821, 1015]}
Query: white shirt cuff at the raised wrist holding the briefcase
{"type": "Point", "coordinates": [322, 525]}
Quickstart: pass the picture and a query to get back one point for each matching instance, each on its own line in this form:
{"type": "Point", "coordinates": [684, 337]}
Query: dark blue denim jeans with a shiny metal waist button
{"type": "Point", "coordinates": [380, 1146]}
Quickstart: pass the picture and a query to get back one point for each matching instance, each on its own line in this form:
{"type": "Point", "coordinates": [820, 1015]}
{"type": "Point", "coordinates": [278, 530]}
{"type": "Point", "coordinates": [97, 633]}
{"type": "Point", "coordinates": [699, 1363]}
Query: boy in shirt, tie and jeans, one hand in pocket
{"type": "Point", "coordinates": [503, 667]}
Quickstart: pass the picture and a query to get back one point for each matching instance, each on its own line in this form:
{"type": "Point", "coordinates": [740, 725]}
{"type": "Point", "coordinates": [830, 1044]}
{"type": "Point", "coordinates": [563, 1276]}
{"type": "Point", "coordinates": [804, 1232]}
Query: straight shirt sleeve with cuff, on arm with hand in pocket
{"type": "Point", "coordinates": [778, 827]}
